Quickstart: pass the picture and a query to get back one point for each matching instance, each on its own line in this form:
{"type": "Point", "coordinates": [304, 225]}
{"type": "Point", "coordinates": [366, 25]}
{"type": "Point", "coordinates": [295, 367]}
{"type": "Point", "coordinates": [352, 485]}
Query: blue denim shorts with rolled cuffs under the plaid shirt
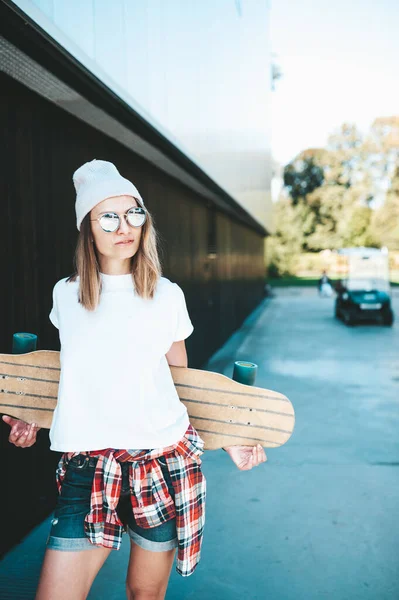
{"type": "Point", "coordinates": [73, 504]}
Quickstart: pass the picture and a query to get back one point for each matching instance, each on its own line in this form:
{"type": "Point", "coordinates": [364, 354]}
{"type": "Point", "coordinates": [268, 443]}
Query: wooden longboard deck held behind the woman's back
{"type": "Point", "coordinates": [224, 412]}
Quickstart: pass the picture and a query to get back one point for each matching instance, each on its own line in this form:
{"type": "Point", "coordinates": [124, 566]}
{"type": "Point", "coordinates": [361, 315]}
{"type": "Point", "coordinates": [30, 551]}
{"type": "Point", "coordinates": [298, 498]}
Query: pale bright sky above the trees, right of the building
{"type": "Point", "coordinates": [340, 63]}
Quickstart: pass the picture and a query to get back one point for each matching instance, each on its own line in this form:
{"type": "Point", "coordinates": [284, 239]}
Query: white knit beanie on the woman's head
{"type": "Point", "coordinates": [97, 180]}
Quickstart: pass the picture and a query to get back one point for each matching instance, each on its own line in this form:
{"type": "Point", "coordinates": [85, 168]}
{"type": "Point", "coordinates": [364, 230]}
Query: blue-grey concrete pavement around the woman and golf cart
{"type": "Point", "coordinates": [319, 519]}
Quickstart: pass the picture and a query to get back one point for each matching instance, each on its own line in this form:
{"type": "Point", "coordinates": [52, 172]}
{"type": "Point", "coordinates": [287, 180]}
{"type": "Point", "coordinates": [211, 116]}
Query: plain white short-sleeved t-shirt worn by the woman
{"type": "Point", "coordinates": [116, 389]}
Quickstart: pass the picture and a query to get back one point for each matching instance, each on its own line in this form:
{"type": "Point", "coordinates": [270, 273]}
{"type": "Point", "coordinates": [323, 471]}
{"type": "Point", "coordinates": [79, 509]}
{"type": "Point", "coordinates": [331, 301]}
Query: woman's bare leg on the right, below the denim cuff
{"type": "Point", "coordinates": [148, 573]}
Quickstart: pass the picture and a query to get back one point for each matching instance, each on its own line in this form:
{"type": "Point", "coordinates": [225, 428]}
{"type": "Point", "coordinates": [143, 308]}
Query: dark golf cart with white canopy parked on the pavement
{"type": "Point", "coordinates": [364, 293]}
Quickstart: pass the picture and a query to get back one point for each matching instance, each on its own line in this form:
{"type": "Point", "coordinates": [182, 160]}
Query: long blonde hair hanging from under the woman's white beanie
{"type": "Point", "coordinates": [146, 267]}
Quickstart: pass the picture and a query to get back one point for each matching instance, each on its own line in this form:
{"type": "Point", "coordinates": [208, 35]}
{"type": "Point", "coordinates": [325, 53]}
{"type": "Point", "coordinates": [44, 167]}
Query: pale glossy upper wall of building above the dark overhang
{"type": "Point", "coordinates": [199, 70]}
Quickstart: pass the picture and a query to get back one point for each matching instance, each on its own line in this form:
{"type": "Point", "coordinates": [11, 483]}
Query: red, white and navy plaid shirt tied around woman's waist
{"type": "Point", "coordinates": [151, 501]}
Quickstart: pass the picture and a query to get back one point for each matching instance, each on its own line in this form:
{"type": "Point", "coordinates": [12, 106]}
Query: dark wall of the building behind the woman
{"type": "Point", "coordinates": [40, 148]}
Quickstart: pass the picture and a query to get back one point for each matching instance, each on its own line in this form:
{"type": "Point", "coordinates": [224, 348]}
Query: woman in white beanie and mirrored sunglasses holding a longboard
{"type": "Point", "coordinates": [131, 459]}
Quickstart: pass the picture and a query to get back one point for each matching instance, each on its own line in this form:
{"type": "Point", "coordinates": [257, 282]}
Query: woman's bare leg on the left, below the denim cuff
{"type": "Point", "coordinates": [69, 575]}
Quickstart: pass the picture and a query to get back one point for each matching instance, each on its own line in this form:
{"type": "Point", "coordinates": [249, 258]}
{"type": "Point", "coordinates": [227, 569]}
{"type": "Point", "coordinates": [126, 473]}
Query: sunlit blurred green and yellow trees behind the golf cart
{"type": "Point", "coordinates": [334, 192]}
